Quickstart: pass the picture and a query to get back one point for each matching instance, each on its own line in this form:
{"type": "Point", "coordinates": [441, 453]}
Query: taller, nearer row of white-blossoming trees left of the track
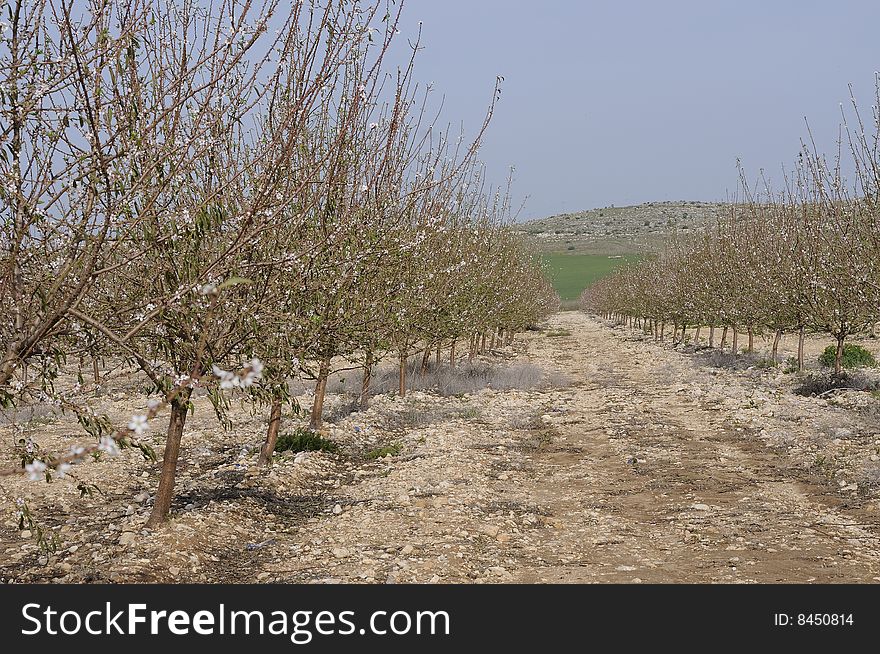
{"type": "Point", "coordinates": [227, 196]}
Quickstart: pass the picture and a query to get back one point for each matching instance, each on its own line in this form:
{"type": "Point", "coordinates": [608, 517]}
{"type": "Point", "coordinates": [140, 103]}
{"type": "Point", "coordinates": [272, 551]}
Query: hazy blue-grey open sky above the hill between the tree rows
{"type": "Point", "coordinates": [622, 102]}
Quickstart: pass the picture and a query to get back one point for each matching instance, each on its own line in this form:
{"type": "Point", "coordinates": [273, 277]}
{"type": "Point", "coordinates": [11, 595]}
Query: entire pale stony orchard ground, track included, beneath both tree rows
{"type": "Point", "coordinates": [640, 464]}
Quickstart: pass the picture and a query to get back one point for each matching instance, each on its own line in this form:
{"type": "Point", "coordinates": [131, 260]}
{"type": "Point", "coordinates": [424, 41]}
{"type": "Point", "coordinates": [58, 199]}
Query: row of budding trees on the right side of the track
{"type": "Point", "coordinates": [805, 259]}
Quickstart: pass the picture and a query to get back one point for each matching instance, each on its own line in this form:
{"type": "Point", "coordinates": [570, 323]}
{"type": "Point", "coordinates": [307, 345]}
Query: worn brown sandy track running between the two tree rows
{"type": "Point", "coordinates": [701, 502]}
